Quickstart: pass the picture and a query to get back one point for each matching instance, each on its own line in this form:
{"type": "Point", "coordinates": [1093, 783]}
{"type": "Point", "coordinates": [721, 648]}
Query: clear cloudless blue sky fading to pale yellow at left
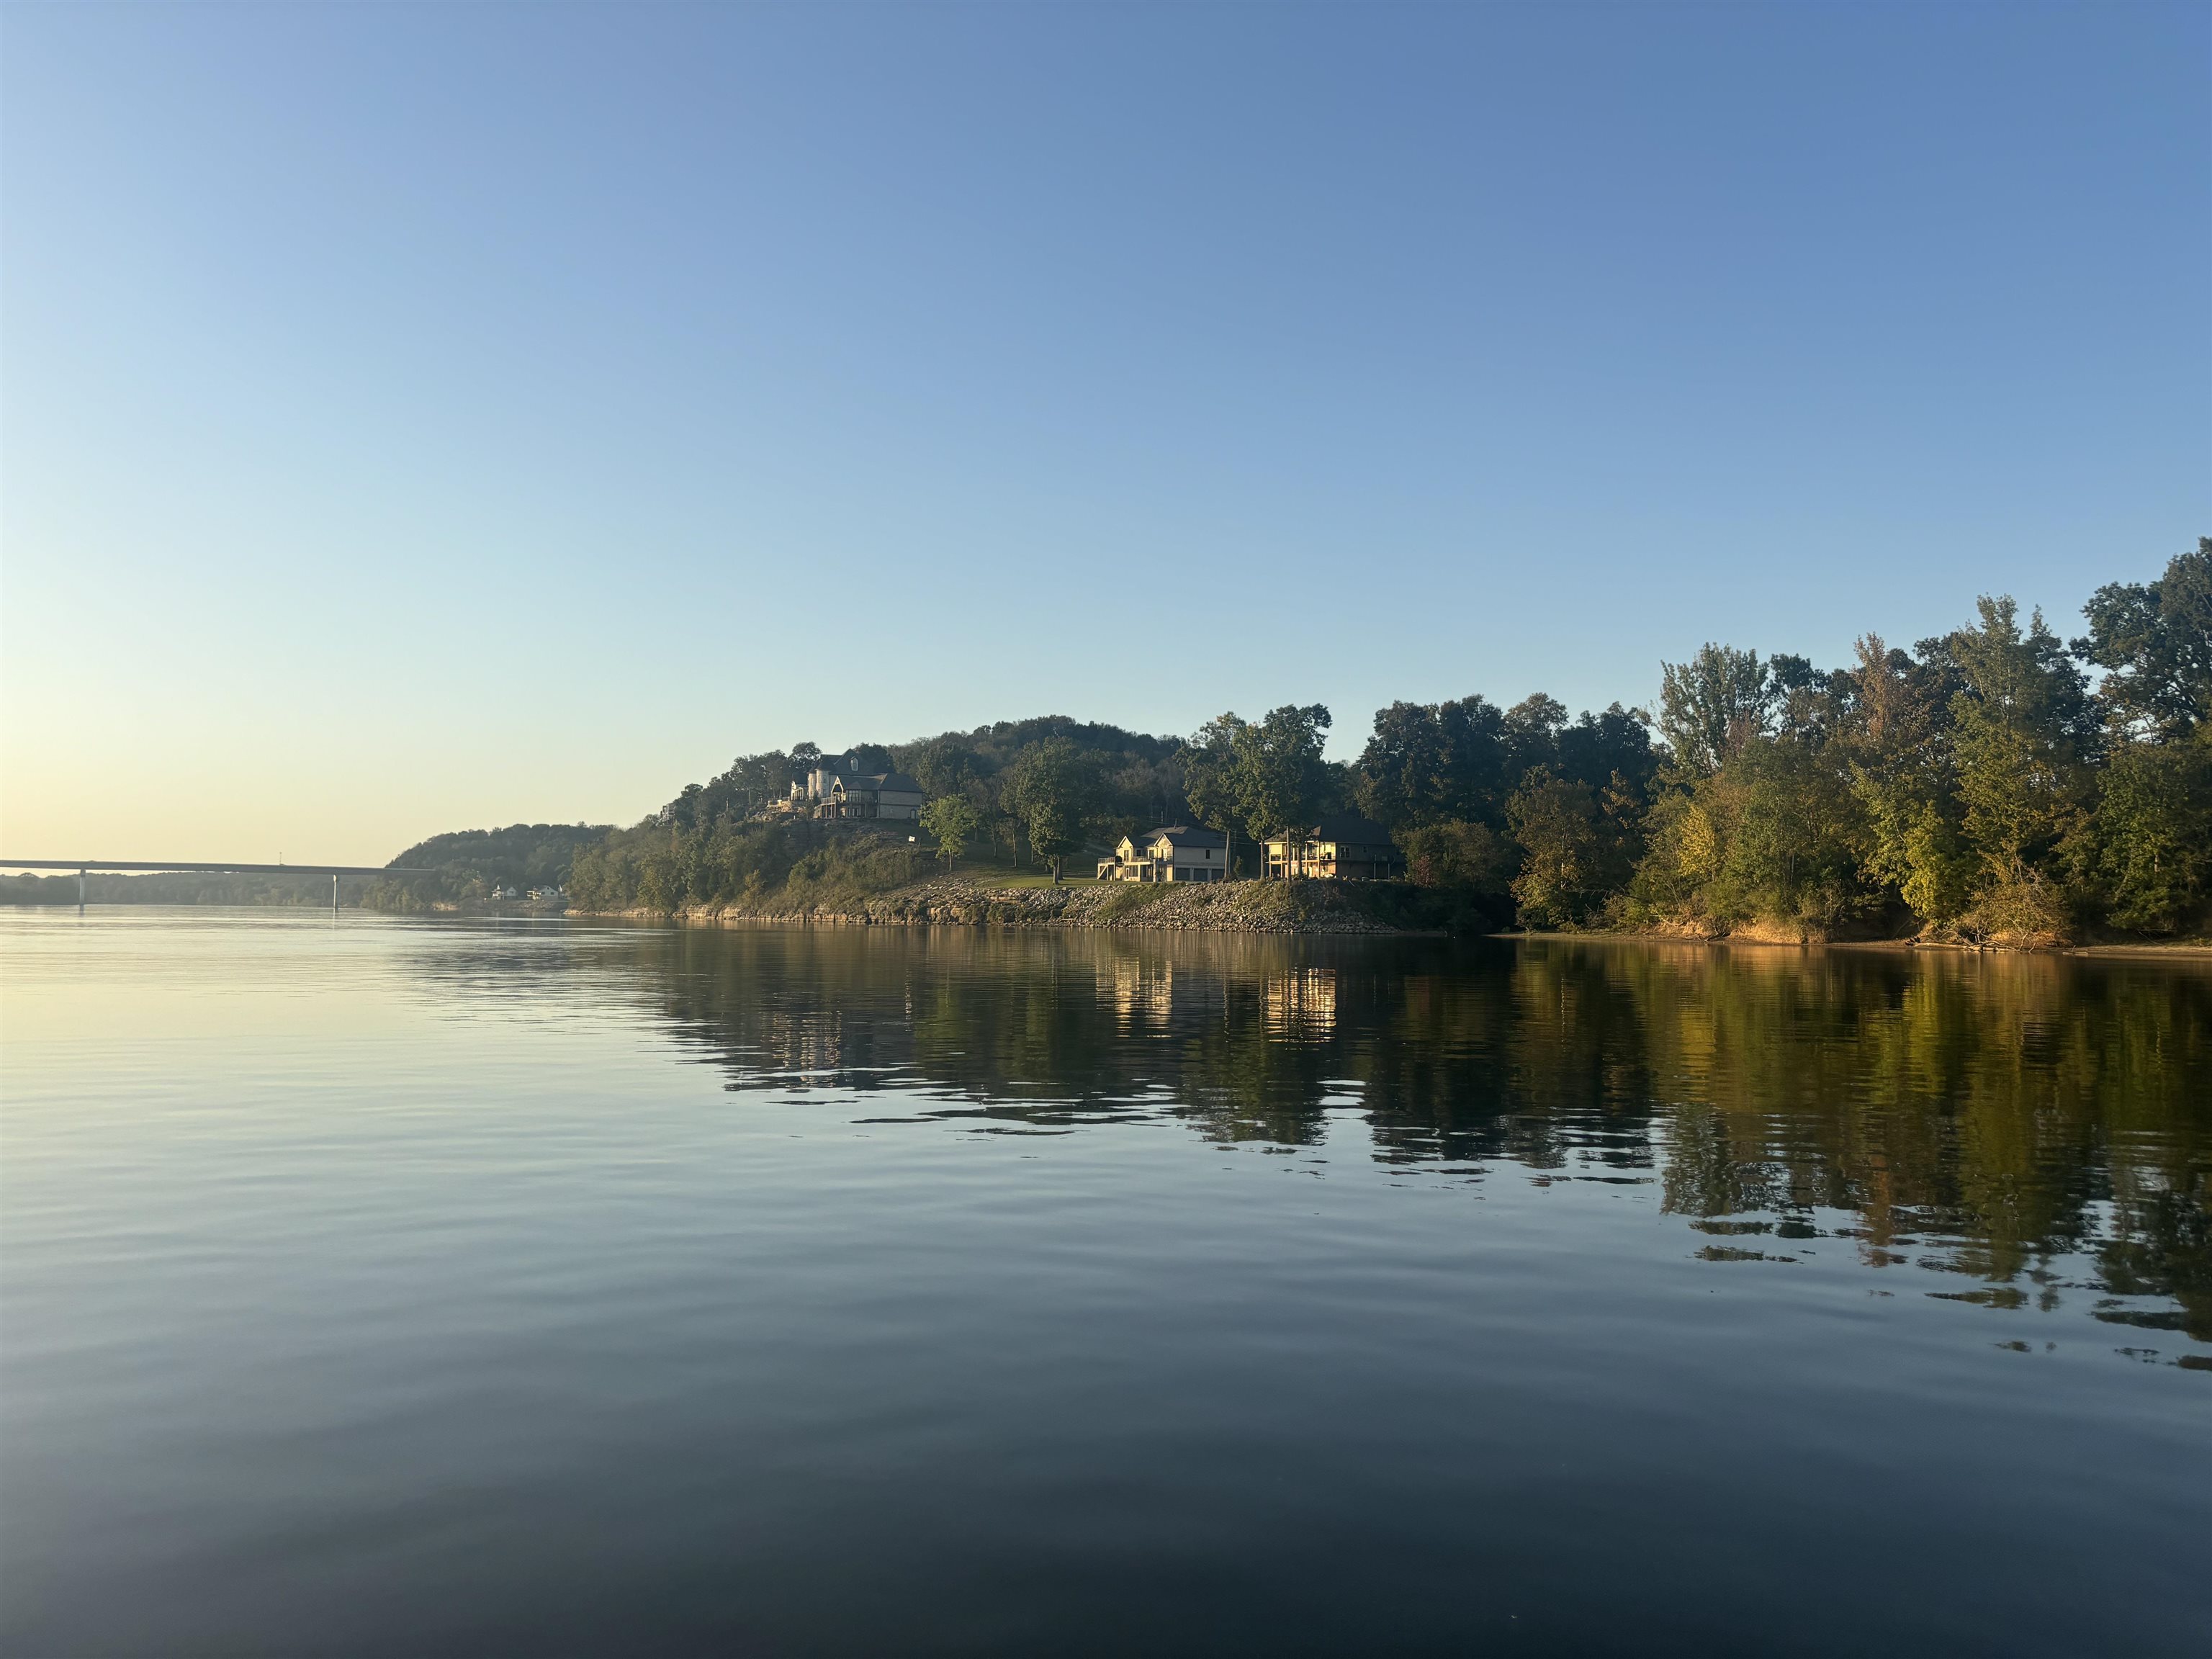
{"type": "Point", "coordinates": [439, 417]}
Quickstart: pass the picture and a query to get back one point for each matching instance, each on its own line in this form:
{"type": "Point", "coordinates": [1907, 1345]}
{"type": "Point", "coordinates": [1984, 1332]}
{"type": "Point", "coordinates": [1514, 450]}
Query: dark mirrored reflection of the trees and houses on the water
{"type": "Point", "coordinates": [1974, 1116]}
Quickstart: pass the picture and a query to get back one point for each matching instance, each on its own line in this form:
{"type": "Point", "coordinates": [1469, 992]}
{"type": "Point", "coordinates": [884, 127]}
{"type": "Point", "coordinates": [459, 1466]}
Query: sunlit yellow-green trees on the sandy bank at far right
{"type": "Point", "coordinates": [1959, 780]}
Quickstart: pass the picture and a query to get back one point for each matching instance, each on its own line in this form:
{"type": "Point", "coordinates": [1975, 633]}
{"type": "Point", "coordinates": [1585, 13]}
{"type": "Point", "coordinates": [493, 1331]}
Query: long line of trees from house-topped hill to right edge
{"type": "Point", "coordinates": [1976, 786]}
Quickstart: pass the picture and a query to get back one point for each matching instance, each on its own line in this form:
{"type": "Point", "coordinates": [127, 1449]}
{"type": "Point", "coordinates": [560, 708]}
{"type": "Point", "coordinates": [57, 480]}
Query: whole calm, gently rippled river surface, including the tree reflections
{"type": "Point", "coordinates": [472, 1288]}
